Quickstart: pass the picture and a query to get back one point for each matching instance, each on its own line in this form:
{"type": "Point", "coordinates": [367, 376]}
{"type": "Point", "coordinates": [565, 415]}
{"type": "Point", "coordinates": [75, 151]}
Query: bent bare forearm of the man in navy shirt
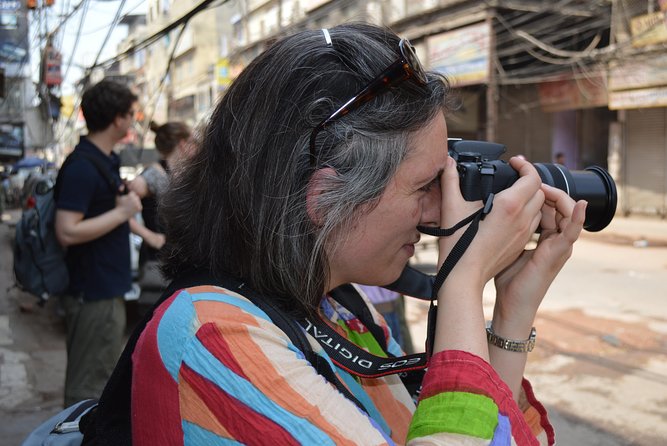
{"type": "Point", "coordinates": [73, 229]}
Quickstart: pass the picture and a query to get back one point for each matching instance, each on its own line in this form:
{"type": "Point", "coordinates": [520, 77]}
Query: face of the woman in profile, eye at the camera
{"type": "Point", "coordinates": [377, 246]}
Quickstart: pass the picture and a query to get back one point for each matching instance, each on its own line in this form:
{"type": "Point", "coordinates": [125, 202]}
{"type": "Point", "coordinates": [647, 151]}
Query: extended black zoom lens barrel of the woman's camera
{"type": "Point", "coordinates": [593, 184]}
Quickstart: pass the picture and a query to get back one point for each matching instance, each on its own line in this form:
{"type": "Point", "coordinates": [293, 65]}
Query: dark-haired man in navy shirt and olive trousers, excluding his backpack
{"type": "Point", "coordinates": [93, 223]}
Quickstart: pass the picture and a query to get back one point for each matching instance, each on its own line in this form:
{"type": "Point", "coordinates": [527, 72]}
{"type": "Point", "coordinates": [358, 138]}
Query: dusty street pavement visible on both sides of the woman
{"type": "Point", "coordinates": [600, 365]}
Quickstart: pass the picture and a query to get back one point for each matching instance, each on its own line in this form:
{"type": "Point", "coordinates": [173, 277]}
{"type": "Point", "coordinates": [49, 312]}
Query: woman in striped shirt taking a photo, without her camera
{"type": "Point", "coordinates": [316, 169]}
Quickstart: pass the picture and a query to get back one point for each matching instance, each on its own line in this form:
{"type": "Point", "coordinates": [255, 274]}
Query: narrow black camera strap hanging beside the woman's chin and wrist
{"type": "Point", "coordinates": [452, 259]}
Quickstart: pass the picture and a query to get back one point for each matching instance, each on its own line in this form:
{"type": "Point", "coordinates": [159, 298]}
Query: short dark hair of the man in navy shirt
{"type": "Point", "coordinates": [103, 102]}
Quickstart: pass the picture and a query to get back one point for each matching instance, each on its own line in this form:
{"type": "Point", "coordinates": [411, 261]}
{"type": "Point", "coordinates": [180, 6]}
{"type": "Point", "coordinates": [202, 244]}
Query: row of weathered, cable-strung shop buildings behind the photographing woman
{"type": "Point", "coordinates": [584, 78]}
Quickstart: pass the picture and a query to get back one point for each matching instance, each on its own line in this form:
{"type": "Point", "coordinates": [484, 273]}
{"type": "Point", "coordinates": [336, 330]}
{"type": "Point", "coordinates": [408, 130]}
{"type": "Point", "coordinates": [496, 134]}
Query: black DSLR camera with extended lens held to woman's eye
{"type": "Point", "coordinates": [482, 172]}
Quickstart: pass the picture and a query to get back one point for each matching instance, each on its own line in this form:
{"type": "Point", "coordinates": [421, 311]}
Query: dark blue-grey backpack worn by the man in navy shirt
{"type": "Point", "coordinates": [39, 259]}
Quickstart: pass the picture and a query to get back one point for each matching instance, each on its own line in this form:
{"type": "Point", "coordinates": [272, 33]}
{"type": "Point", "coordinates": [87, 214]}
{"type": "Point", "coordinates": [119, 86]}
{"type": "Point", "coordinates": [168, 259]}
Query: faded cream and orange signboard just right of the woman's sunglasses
{"type": "Point", "coordinates": [462, 55]}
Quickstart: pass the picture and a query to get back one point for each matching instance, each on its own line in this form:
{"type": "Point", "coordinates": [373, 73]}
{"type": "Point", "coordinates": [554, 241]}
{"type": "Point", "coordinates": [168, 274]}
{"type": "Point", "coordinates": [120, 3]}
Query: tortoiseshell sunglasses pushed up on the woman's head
{"type": "Point", "coordinates": [407, 66]}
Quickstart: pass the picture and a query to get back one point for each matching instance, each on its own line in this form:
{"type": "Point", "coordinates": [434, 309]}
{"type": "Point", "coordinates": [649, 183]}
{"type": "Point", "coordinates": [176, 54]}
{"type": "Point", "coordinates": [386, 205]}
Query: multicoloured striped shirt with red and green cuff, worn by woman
{"type": "Point", "coordinates": [211, 368]}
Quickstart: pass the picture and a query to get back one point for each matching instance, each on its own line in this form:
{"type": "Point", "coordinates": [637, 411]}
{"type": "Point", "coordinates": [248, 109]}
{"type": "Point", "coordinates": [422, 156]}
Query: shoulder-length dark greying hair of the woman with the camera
{"type": "Point", "coordinates": [239, 204]}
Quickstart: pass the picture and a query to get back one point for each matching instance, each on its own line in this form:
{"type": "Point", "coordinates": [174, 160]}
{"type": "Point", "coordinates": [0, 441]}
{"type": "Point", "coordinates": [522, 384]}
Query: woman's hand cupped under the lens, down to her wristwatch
{"type": "Point", "coordinates": [522, 286]}
